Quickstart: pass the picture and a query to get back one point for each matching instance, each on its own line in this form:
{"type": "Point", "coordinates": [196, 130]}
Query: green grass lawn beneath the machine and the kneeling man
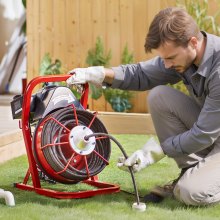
{"type": "Point", "coordinates": [30, 205]}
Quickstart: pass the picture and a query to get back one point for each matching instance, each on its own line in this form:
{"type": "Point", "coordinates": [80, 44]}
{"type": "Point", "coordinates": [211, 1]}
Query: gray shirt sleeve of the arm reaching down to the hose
{"type": "Point", "coordinates": [205, 130]}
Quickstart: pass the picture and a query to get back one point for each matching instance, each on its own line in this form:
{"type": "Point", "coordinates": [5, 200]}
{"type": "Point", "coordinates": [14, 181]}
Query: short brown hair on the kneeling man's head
{"type": "Point", "coordinates": [171, 24]}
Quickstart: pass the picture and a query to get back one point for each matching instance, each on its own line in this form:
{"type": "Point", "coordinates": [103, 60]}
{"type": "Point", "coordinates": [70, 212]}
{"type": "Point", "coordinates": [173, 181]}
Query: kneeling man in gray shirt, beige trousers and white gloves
{"type": "Point", "coordinates": [188, 127]}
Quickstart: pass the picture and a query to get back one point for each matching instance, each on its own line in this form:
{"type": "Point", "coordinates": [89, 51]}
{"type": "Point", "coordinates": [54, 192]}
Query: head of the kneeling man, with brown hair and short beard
{"type": "Point", "coordinates": [175, 35]}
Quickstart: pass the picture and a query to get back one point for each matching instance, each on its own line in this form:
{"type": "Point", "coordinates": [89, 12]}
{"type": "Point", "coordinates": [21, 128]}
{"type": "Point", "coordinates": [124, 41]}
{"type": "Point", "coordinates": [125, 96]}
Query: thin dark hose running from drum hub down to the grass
{"type": "Point", "coordinates": [125, 155]}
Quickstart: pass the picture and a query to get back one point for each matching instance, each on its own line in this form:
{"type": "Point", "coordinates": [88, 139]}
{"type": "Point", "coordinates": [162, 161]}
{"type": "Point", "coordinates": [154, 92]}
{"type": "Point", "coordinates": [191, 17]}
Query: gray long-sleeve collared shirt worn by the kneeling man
{"type": "Point", "coordinates": [203, 85]}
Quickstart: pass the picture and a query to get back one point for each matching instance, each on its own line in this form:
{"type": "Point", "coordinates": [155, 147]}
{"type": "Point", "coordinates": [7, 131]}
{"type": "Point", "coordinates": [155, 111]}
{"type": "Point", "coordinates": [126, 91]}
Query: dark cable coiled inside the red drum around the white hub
{"type": "Point", "coordinates": [57, 155]}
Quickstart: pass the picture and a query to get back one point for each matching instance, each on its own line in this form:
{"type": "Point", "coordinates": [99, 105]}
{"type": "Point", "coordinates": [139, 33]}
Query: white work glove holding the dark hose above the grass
{"type": "Point", "coordinates": [149, 154]}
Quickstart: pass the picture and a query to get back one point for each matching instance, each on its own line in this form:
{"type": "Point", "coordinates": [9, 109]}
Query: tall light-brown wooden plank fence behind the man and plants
{"type": "Point", "coordinates": [67, 29]}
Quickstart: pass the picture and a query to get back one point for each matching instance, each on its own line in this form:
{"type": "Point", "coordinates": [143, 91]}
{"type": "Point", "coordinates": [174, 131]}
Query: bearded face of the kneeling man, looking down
{"type": "Point", "coordinates": [177, 57]}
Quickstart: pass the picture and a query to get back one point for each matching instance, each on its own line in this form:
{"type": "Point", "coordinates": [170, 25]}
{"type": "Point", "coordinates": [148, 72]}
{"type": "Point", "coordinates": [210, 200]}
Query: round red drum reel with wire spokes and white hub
{"type": "Point", "coordinates": [61, 151]}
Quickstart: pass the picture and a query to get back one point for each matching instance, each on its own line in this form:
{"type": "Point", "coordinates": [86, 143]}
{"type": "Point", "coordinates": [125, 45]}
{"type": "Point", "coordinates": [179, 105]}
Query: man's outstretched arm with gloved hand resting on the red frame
{"type": "Point", "coordinates": [140, 77]}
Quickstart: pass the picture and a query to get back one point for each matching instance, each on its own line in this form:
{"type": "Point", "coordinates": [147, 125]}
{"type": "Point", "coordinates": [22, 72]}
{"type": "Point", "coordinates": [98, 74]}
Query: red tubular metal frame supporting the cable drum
{"type": "Point", "coordinates": [101, 187]}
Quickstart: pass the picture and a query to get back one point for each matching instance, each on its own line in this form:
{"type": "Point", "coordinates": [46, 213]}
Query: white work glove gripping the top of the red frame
{"type": "Point", "coordinates": [93, 74]}
